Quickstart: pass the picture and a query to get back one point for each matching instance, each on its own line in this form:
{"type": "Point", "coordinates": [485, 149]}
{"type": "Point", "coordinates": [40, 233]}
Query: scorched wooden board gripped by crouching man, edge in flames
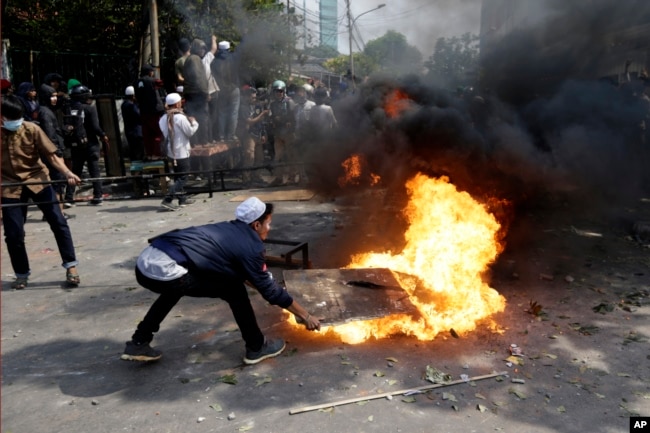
{"type": "Point", "coordinates": [338, 296]}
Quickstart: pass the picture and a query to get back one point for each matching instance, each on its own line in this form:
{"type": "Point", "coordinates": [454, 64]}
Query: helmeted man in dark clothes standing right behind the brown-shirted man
{"type": "Point", "coordinates": [88, 151]}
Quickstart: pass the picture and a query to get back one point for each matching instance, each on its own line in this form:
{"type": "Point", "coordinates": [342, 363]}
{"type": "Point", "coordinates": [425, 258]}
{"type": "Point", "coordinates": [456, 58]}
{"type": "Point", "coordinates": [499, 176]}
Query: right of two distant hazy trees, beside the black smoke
{"type": "Point", "coordinates": [454, 61]}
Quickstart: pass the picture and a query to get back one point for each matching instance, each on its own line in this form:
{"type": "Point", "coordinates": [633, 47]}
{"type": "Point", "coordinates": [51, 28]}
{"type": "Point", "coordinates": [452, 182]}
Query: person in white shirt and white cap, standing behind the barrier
{"type": "Point", "coordinates": [177, 128]}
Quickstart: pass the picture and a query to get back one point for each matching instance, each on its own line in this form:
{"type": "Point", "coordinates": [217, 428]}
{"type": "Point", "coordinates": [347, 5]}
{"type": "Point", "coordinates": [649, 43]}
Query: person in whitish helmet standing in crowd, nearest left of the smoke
{"type": "Point", "coordinates": [282, 124]}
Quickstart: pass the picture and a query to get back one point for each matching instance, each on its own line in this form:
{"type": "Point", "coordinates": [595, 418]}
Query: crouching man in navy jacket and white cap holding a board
{"type": "Point", "coordinates": [214, 261]}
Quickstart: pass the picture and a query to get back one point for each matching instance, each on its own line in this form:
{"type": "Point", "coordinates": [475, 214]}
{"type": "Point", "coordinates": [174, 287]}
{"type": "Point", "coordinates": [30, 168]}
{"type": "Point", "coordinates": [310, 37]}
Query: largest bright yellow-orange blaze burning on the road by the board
{"type": "Point", "coordinates": [450, 242]}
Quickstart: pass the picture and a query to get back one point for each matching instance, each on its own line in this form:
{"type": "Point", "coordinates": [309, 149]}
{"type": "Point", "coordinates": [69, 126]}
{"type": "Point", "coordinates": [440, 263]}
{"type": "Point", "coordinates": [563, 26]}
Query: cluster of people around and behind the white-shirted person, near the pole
{"type": "Point", "coordinates": [259, 124]}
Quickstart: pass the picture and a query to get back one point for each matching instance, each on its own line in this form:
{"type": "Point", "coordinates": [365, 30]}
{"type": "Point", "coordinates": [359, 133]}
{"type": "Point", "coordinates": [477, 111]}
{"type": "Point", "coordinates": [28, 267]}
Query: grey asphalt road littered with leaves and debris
{"type": "Point", "coordinates": [583, 369]}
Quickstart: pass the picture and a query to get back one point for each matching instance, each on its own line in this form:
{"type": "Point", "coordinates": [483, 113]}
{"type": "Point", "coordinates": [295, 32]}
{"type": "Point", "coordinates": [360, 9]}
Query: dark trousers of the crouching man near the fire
{"type": "Point", "coordinates": [195, 285]}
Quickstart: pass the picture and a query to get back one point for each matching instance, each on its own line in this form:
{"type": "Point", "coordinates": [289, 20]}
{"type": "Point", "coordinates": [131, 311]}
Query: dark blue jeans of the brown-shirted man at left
{"type": "Point", "coordinates": [13, 221]}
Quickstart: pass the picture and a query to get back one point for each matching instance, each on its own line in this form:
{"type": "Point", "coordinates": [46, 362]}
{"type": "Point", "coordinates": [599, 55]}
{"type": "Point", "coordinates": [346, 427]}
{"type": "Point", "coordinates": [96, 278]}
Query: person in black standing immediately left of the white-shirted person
{"type": "Point", "coordinates": [152, 108]}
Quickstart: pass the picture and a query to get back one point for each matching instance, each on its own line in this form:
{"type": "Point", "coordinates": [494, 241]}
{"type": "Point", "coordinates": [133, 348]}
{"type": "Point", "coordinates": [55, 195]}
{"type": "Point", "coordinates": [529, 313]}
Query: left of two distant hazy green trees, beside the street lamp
{"type": "Point", "coordinates": [393, 55]}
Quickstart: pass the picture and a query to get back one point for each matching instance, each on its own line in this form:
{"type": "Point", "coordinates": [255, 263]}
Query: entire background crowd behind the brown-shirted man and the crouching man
{"type": "Point", "coordinates": [261, 125]}
